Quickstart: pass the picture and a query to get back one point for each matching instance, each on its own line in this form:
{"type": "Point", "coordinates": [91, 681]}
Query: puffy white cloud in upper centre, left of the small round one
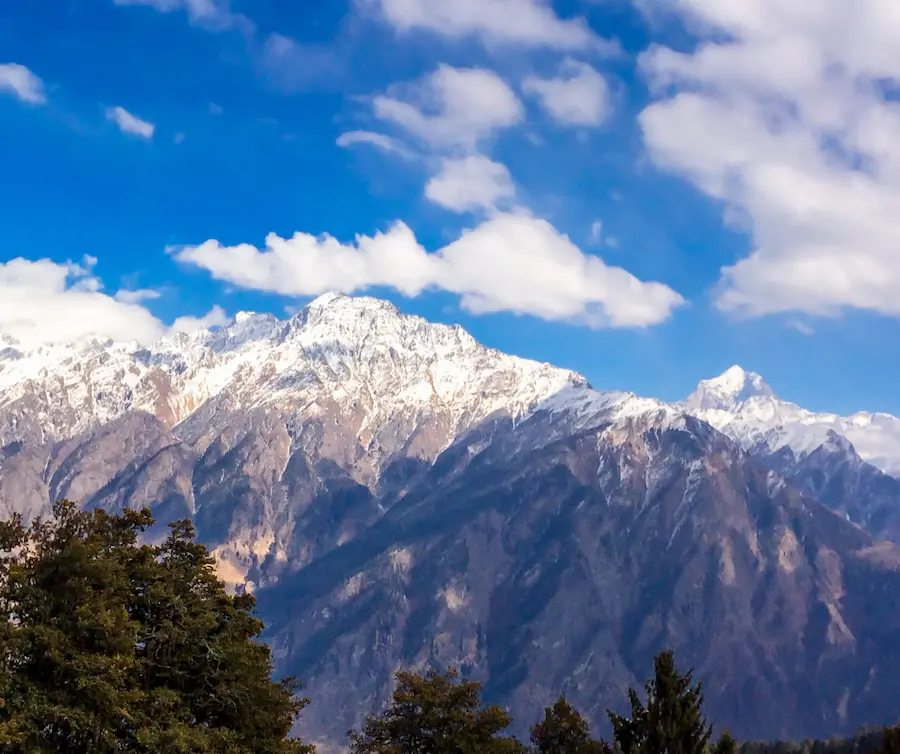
{"type": "Point", "coordinates": [452, 107]}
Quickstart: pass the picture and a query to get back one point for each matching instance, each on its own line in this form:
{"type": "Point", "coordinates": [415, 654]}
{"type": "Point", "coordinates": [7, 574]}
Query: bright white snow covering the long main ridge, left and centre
{"type": "Point", "coordinates": [339, 353]}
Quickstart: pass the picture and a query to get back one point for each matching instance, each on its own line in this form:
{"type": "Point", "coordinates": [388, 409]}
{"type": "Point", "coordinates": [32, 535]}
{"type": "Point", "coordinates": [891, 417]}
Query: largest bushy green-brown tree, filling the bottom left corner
{"type": "Point", "coordinates": [108, 645]}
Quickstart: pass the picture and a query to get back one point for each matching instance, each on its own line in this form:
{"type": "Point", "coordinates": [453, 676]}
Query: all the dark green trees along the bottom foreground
{"type": "Point", "coordinates": [114, 645]}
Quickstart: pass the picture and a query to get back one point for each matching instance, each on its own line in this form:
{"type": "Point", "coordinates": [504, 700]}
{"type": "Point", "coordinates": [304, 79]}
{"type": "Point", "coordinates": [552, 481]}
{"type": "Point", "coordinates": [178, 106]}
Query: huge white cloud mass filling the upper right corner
{"type": "Point", "coordinates": [782, 113]}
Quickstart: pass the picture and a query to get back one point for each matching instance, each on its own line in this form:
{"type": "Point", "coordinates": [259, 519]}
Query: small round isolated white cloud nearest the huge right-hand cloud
{"type": "Point", "coordinates": [578, 97]}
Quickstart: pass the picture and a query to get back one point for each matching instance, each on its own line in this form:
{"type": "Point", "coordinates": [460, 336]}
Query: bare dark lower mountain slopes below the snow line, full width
{"type": "Point", "coordinates": [537, 556]}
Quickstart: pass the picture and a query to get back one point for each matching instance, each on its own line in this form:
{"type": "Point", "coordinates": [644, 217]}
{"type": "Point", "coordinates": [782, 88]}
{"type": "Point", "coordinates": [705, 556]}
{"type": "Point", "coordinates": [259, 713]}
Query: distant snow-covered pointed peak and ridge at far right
{"type": "Point", "coordinates": [744, 407]}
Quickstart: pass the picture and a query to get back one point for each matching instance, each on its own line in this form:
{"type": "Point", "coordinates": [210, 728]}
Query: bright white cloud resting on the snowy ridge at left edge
{"type": "Point", "coordinates": [42, 301]}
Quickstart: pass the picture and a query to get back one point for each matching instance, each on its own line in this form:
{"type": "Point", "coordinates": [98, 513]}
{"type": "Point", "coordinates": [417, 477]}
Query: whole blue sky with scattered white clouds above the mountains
{"type": "Point", "coordinates": [645, 191]}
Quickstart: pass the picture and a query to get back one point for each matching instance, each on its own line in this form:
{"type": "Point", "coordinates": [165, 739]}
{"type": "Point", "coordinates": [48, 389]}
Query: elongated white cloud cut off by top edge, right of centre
{"type": "Point", "coordinates": [525, 23]}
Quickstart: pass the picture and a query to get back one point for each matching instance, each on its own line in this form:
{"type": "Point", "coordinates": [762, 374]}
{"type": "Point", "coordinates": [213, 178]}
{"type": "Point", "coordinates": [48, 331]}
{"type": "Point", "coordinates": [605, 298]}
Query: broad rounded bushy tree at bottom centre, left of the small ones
{"type": "Point", "coordinates": [437, 713]}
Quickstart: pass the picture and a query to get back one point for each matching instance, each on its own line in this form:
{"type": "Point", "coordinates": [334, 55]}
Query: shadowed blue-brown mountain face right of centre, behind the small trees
{"type": "Point", "coordinates": [537, 574]}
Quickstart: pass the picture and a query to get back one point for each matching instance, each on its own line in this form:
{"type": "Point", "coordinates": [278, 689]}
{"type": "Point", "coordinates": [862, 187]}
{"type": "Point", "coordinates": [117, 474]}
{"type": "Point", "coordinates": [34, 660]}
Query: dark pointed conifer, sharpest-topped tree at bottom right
{"type": "Point", "coordinates": [672, 721]}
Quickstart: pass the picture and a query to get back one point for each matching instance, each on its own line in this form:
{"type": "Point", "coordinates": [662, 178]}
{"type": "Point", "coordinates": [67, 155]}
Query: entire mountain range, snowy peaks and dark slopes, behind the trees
{"type": "Point", "coordinates": [398, 495]}
